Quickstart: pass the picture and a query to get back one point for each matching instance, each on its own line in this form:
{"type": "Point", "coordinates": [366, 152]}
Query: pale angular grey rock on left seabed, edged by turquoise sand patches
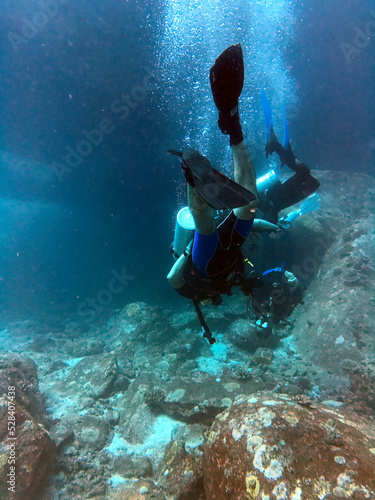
{"type": "Point", "coordinates": [93, 377]}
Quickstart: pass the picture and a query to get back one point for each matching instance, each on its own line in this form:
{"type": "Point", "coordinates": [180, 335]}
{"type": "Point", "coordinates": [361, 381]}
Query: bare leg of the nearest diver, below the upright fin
{"type": "Point", "coordinates": [244, 174]}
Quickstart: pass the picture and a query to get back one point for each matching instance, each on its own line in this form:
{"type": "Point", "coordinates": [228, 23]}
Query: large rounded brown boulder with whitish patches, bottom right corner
{"type": "Point", "coordinates": [269, 446]}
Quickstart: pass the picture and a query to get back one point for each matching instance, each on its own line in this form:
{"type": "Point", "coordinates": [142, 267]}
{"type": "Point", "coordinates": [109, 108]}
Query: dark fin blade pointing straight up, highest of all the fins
{"type": "Point", "coordinates": [227, 78]}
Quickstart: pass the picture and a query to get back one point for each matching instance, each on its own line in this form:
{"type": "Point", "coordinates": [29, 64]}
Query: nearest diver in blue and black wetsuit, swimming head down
{"type": "Point", "coordinates": [214, 263]}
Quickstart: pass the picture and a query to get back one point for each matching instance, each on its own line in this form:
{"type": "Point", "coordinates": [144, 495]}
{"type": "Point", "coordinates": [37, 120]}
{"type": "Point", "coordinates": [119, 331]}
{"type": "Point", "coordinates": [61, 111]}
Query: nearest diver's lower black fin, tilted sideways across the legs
{"type": "Point", "coordinates": [215, 188]}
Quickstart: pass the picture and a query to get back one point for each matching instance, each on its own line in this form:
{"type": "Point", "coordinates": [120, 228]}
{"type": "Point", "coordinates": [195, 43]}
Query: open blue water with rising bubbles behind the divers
{"type": "Point", "coordinates": [65, 227]}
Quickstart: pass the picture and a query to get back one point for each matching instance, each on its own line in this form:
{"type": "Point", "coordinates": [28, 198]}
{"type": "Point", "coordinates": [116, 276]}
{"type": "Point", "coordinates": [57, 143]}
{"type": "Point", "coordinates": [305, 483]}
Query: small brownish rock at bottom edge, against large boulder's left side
{"type": "Point", "coordinates": [179, 475]}
